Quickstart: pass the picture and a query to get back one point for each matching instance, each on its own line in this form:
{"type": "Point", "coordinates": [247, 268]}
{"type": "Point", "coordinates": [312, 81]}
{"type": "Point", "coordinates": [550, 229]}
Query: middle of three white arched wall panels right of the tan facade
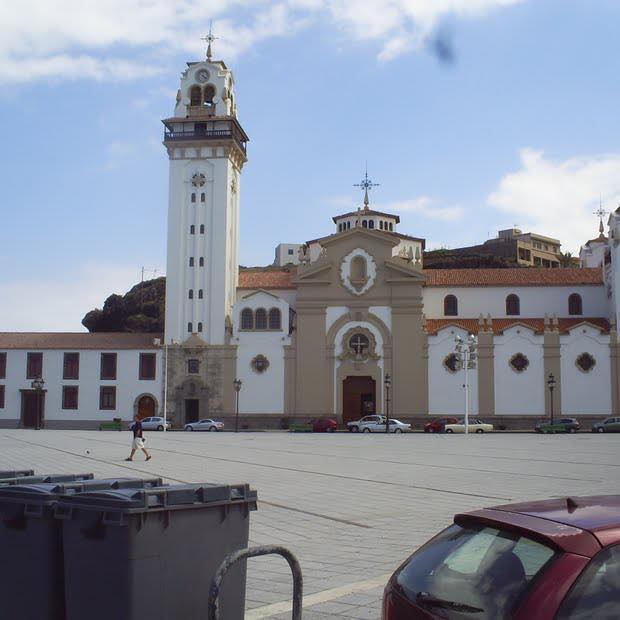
{"type": "Point", "coordinates": [519, 393]}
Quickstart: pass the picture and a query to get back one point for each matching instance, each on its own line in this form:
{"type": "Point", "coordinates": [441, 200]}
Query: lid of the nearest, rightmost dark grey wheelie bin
{"type": "Point", "coordinates": [181, 496]}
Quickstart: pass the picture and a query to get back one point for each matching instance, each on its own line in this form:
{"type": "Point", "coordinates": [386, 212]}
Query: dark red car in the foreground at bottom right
{"type": "Point", "coordinates": [554, 559]}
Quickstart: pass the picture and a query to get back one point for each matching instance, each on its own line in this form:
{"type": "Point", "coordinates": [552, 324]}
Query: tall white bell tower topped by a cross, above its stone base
{"type": "Point", "coordinates": [206, 147]}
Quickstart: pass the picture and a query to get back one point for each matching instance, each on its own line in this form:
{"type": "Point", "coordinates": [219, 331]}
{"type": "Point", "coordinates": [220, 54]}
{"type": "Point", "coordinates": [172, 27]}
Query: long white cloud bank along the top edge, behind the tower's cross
{"type": "Point", "coordinates": [122, 39]}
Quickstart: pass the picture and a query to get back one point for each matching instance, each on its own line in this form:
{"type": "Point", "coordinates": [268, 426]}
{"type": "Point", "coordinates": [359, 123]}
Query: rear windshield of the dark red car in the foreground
{"type": "Point", "coordinates": [481, 567]}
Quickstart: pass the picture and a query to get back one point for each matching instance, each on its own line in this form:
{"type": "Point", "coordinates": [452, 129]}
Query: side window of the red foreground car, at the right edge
{"type": "Point", "coordinates": [597, 591]}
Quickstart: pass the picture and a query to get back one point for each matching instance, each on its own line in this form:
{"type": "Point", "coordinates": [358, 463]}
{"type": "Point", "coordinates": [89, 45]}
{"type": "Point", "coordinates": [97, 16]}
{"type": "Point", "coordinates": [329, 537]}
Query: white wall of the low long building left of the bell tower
{"type": "Point", "coordinates": [128, 385]}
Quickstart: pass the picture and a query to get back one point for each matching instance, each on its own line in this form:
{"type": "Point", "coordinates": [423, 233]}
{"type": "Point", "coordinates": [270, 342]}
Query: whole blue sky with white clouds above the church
{"type": "Point", "coordinates": [471, 115]}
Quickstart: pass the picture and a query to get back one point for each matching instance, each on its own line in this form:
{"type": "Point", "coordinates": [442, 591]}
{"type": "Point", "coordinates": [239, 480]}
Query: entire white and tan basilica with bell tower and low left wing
{"type": "Point", "coordinates": [352, 324]}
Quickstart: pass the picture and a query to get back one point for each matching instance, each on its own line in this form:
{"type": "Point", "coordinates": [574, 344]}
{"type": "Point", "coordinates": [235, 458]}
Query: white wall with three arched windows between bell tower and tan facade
{"type": "Point", "coordinates": [261, 392]}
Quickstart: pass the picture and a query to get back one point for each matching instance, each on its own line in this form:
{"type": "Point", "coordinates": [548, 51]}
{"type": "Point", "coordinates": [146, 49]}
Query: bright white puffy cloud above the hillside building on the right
{"type": "Point", "coordinates": [558, 198]}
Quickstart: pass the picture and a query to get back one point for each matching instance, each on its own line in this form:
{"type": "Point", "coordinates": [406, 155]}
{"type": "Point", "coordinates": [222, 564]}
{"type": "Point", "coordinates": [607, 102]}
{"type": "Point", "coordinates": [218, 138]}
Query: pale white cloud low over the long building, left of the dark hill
{"type": "Point", "coordinates": [58, 303]}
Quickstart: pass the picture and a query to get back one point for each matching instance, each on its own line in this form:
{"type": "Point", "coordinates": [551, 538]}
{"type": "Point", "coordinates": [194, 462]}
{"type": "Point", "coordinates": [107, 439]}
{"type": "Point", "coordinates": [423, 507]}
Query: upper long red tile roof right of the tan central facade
{"type": "Point", "coordinates": [525, 276]}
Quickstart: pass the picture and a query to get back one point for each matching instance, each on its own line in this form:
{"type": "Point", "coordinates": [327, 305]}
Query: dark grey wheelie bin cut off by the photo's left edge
{"type": "Point", "coordinates": [31, 564]}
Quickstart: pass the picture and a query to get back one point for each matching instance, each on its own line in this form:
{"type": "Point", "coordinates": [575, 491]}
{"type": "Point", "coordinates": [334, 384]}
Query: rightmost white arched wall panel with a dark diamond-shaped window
{"type": "Point", "coordinates": [586, 392]}
